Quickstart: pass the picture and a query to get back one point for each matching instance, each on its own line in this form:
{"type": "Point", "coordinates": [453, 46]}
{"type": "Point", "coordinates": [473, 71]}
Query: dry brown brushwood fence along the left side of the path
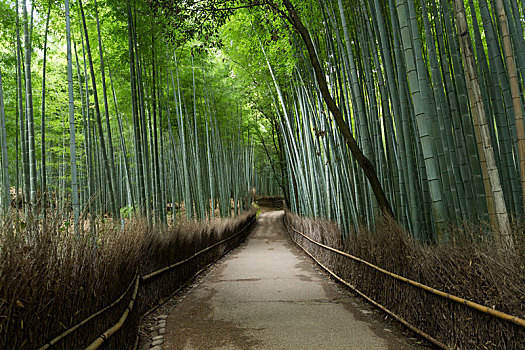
{"type": "Point", "coordinates": [52, 278]}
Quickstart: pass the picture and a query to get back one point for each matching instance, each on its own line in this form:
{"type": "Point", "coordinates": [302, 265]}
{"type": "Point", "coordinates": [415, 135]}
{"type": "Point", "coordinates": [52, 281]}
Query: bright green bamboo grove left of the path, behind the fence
{"type": "Point", "coordinates": [119, 125]}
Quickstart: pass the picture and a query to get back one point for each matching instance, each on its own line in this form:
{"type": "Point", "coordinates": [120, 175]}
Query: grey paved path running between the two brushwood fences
{"type": "Point", "coordinates": [269, 295]}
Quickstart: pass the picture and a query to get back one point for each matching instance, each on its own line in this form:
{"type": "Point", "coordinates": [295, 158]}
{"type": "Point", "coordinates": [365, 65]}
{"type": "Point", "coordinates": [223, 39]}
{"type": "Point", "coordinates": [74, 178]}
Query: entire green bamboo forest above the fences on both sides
{"type": "Point", "coordinates": [408, 107]}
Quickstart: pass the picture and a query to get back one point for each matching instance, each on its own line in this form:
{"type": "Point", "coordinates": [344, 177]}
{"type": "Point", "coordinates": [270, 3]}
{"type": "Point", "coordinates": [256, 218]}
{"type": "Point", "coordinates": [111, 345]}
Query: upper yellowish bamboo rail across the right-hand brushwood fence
{"type": "Point", "coordinates": [478, 307]}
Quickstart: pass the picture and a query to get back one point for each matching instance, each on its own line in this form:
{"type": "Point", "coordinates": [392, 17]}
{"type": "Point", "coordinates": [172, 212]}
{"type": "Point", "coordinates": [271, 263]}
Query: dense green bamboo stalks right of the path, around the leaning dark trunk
{"type": "Point", "coordinates": [433, 93]}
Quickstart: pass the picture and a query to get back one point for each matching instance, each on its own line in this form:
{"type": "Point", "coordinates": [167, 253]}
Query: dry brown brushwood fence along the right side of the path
{"type": "Point", "coordinates": [467, 266]}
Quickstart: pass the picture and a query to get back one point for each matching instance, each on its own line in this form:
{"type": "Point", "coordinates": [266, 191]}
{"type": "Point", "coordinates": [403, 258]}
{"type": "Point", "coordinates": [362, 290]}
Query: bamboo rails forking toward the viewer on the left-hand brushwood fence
{"type": "Point", "coordinates": [136, 281]}
